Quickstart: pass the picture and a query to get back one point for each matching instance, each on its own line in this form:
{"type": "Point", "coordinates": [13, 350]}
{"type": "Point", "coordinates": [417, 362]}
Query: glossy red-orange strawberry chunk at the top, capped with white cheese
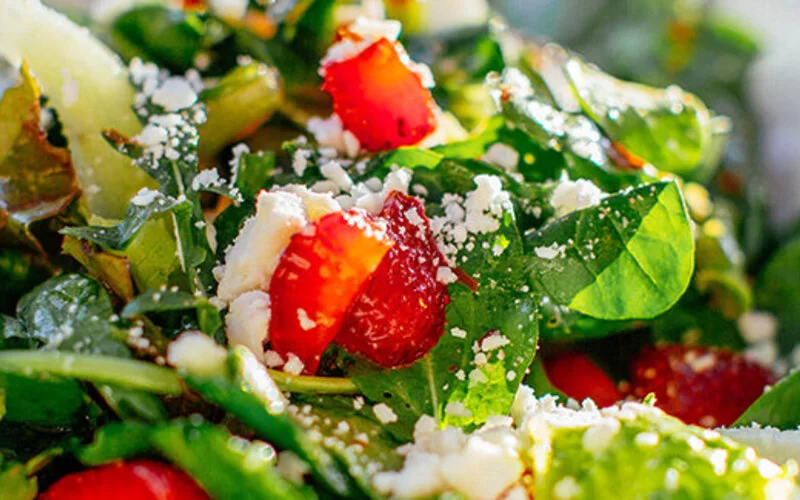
{"type": "Point", "coordinates": [380, 99]}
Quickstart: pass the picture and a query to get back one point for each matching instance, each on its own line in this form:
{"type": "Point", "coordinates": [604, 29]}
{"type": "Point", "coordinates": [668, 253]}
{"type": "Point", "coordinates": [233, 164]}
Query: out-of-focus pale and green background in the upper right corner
{"type": "Point", "coordinates": [717, 49]}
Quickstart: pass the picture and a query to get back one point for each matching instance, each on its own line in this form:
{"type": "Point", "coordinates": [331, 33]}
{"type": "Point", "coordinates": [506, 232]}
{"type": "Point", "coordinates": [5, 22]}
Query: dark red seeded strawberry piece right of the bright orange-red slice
{"type": "Point", "coordinates": [401, 314]}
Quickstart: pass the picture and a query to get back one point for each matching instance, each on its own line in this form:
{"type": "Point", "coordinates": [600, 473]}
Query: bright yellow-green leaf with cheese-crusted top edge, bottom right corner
{"type": "Point", "coordinates": [682, 462]}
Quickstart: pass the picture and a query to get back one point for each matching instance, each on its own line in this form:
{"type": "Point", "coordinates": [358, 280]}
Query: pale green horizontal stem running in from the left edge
{"type": "Point", "coordinates": [100, 369]}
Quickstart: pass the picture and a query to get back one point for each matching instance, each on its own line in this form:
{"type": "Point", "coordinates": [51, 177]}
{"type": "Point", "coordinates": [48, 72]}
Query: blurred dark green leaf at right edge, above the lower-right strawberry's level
{"type": "Point", "coordinates": [778, 291]}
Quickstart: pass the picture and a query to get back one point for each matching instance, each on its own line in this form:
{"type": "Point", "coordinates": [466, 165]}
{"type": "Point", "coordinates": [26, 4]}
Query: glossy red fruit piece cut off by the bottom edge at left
{"type": "Point", "coordinates": [133, 480]}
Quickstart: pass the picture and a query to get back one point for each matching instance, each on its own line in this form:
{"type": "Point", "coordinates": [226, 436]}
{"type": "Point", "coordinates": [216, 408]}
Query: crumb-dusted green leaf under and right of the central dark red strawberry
{"type": "Point", "coordinates": [474, 383]}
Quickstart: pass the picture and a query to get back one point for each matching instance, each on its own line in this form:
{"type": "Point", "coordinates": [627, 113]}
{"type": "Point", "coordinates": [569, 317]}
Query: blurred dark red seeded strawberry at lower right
{"type": "Point", "coordinates": [699, 385]}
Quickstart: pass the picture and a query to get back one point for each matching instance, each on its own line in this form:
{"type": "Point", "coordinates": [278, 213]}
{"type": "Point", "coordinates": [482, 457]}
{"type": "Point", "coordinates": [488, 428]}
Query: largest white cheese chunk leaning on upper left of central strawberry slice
{"type": "Point", "coordinates": [251, 261]}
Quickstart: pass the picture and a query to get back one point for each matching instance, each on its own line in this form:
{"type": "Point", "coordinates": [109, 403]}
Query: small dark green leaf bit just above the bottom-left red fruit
{"type": "Point", "coordinates": [116, 441]}
